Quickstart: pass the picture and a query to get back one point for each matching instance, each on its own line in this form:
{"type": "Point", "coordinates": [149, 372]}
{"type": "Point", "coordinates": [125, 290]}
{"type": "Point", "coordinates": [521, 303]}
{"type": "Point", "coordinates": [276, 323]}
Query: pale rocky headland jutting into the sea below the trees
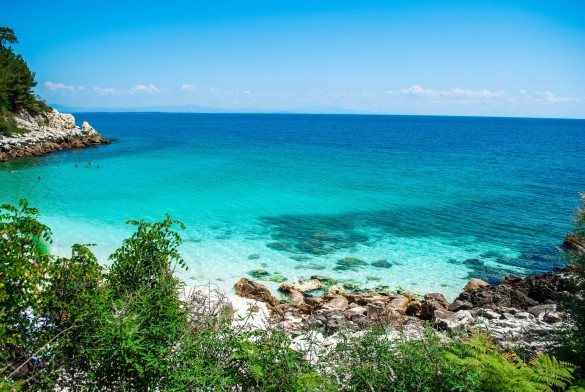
{"type": "Point", "coordinates": [47, 132]}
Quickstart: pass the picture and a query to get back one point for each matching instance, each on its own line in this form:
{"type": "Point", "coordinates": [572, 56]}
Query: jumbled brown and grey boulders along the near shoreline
{"type": "Point", "coordinates": [518, 313]}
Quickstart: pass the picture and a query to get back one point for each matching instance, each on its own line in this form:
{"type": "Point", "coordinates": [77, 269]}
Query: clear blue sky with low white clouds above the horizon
{"type": "Point", "coordinates": [477, 58]}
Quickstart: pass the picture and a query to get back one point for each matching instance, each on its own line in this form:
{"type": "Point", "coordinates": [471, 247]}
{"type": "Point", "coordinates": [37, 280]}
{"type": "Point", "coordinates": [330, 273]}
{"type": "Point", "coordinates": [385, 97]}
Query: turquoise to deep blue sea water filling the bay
{"type": "Point", "coordinates": [439, 199]}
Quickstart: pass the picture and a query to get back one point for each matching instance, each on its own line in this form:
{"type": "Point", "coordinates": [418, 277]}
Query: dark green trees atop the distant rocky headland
{"type": "Point", "coordinates": [16, 84]}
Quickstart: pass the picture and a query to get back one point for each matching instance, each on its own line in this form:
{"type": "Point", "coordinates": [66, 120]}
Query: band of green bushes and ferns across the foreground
{"type": "Point", "coordinates": [66, 323]}
